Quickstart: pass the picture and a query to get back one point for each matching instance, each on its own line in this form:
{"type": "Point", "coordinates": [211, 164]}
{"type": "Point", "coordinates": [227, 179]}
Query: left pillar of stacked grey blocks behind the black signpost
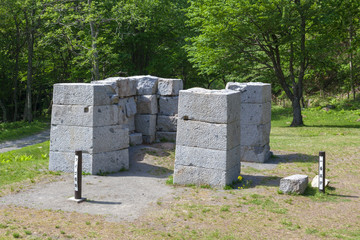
{"type": "Point", "coordinates": [86, 117]}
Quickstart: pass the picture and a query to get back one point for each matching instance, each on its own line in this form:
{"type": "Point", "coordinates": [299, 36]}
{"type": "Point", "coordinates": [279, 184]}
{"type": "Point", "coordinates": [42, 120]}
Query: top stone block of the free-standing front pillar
{"type": "Point", "coordinates": [215, 106]}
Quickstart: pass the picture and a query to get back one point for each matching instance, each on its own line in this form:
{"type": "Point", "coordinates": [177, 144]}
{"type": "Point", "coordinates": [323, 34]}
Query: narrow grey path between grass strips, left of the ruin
{"type": "Point", "coordinates": [23, 142]}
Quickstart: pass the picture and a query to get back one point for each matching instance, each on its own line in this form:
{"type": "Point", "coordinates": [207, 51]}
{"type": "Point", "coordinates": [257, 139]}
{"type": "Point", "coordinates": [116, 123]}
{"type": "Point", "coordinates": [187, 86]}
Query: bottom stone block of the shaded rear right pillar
{"type": "Point", "coordinates": [258, 154]}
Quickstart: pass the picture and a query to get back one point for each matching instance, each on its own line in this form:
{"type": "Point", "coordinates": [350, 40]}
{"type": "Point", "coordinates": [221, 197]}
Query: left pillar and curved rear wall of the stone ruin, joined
{"type": "Point", "coordinates": [103, 118]}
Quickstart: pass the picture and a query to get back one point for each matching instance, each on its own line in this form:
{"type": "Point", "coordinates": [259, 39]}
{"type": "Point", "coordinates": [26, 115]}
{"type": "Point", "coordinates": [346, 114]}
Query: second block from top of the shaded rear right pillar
{"type": "Point", "coordinates": [255, 113]}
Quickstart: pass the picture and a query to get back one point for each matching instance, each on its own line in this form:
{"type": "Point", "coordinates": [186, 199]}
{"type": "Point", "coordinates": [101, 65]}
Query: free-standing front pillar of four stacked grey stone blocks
{"type": "Point", "coordinates": [207, 142]}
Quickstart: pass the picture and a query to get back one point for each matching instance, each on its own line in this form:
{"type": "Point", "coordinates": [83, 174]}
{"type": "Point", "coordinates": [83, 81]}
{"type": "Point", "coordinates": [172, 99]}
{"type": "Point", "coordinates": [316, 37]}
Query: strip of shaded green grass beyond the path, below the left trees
{"type": "Point", "coordinates": [16, 130]}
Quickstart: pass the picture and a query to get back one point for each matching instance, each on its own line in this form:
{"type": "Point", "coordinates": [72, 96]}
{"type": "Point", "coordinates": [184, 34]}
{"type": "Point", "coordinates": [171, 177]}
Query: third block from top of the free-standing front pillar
{"type": "Point", "coordinates": [207, 158]}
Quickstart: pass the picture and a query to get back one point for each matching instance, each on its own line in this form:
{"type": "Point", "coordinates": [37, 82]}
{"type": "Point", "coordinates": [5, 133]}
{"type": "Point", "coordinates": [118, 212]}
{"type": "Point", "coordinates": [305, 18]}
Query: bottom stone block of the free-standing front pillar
{"type": "Point", "coordinates": [205, 176]}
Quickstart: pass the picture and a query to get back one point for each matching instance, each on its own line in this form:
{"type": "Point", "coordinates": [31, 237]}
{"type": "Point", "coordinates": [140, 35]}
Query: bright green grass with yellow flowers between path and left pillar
{"type": "Point", "coordinates": [23, 164]}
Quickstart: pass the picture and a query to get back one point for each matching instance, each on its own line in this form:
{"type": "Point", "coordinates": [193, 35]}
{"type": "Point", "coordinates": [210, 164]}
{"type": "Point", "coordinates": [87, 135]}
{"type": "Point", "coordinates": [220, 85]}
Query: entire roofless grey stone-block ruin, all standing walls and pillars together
{"type": "Point", "coordinates": [215, 130]}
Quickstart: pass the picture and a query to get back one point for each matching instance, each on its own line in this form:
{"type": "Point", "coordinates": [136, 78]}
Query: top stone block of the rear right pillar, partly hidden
{"type": "Point", "coordinates": [252, 92]}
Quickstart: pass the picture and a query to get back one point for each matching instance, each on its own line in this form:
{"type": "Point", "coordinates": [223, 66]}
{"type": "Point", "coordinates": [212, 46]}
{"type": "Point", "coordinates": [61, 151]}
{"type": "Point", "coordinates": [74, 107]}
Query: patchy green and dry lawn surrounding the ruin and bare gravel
{"type": "Point", "coordinates": [256, 212]}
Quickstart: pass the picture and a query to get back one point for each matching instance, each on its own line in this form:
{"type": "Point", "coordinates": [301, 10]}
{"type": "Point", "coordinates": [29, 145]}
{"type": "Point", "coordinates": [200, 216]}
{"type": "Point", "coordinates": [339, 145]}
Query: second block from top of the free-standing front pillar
{"type": "Point", "coordinates": [208, 135]}
